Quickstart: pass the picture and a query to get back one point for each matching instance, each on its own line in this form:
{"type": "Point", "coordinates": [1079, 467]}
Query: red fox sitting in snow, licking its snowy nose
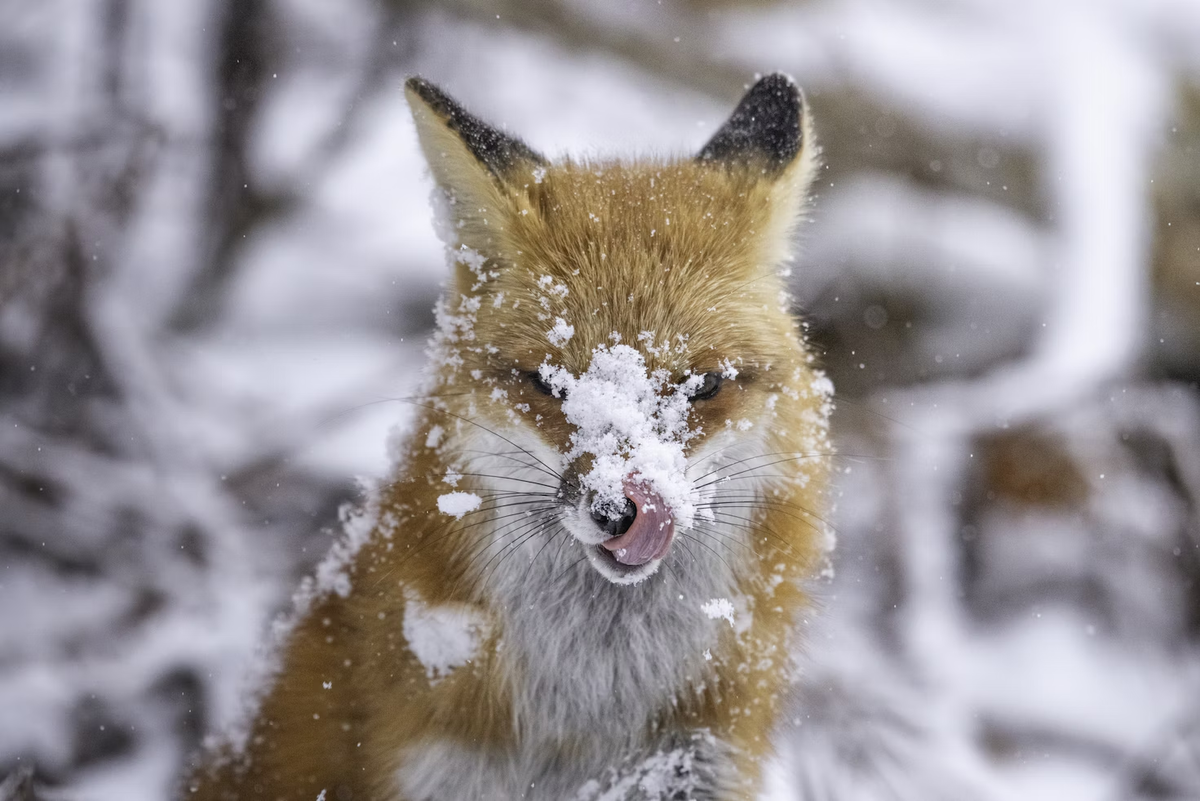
{"type": "Point", "coordinates": [583, 580]}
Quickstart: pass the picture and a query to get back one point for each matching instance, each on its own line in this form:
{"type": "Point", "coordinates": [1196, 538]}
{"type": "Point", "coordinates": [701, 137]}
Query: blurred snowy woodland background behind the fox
{"type": "Point", "coordinates": [217, 273]}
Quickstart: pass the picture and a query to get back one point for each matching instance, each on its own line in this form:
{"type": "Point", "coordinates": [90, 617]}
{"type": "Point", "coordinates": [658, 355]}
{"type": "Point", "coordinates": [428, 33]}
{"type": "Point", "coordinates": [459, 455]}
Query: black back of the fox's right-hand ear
{"type": "Point", "coordinates": [765, 129]}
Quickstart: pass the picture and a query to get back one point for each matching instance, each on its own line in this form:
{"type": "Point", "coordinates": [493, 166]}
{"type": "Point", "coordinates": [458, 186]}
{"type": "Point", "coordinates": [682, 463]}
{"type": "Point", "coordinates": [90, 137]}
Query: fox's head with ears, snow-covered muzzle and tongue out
{"type": "Point", "coordinates": [626, 326]}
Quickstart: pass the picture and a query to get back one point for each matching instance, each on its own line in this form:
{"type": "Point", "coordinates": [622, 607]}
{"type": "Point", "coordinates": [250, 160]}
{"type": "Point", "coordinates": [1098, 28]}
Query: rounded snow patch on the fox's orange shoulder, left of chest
{"type": "Point", "coordinates": [442, 637]}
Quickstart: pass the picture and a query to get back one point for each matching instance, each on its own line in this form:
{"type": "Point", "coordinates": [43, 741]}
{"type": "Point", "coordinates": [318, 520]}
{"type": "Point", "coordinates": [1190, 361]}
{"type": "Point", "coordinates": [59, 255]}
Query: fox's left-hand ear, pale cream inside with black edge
{"type": "Point", "coordinates": [478, 167]}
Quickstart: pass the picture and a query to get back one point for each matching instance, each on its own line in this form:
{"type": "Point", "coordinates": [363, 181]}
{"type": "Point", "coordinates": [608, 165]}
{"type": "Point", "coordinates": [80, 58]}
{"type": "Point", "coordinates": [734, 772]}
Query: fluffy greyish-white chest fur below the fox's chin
{"type": "Point", "coordinates": [590, 671]}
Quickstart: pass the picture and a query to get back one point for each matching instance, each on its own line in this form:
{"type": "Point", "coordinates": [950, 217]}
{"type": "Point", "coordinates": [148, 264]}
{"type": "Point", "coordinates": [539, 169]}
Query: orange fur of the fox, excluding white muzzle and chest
{"type": "Point", "coordinates": [681, 249]}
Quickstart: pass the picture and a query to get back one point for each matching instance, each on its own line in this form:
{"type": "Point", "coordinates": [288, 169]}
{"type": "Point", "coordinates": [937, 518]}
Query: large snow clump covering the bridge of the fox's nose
{"type": "Point", "coordinates": [633, 424]}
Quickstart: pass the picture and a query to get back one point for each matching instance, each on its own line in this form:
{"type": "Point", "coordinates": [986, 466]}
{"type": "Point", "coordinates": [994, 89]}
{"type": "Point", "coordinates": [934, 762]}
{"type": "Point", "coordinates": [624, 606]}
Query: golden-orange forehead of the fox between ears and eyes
{"type": "Point", "coordinates": [661, 255]}
